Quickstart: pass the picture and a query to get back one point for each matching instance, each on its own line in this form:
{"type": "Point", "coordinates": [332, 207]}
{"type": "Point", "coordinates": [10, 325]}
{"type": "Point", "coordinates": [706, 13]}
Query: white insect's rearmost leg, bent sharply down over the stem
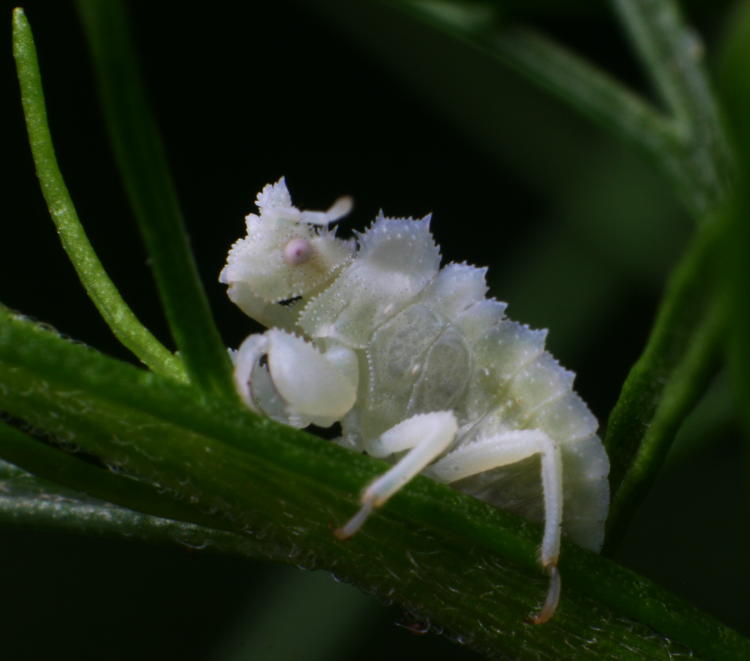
{"type": "Point", "coordinates": [509, 448]}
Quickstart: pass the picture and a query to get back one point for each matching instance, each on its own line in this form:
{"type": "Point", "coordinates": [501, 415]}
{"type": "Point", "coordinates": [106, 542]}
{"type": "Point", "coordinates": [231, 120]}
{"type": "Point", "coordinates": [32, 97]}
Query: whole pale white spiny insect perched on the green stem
{"type": "Point", "coordinates": [417, 366]}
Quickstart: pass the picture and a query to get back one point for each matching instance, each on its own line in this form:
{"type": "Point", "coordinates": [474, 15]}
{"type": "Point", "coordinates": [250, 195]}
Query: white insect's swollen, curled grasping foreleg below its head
{"type": "Point", "coordinates": [290, 380]}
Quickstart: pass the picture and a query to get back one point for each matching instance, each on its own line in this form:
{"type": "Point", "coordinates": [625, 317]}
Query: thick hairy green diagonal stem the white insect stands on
{"type": "Point", "coordinates": [450, 557]}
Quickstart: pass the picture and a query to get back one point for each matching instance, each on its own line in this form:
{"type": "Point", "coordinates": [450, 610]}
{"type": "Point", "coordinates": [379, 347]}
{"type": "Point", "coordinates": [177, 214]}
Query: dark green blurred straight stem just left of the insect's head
{"type": "Point", "coordinates": [142, 161]}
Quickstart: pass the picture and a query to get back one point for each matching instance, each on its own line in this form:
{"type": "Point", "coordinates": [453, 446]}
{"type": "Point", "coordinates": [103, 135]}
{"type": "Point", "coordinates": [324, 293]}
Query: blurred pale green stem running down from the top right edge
{"type": "Point", "coordinates": [672, 53]}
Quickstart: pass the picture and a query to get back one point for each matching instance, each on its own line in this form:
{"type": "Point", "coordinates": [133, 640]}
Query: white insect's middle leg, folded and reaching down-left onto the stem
{"type": "Point", "coordinates": [426, 436]}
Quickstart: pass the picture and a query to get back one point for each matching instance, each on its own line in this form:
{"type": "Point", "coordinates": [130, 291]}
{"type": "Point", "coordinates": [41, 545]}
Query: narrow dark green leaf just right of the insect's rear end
{"type": "Point", "coordinates": [675, 369]}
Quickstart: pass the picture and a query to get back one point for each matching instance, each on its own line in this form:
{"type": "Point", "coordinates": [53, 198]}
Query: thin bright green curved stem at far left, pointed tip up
{"type": "Point", "coordinates": [102, 291]}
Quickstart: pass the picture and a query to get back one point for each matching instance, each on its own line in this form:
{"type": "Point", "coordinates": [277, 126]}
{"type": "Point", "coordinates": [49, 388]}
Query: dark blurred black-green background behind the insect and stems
{"type": "Point", "coordinates": [579, 231]}
